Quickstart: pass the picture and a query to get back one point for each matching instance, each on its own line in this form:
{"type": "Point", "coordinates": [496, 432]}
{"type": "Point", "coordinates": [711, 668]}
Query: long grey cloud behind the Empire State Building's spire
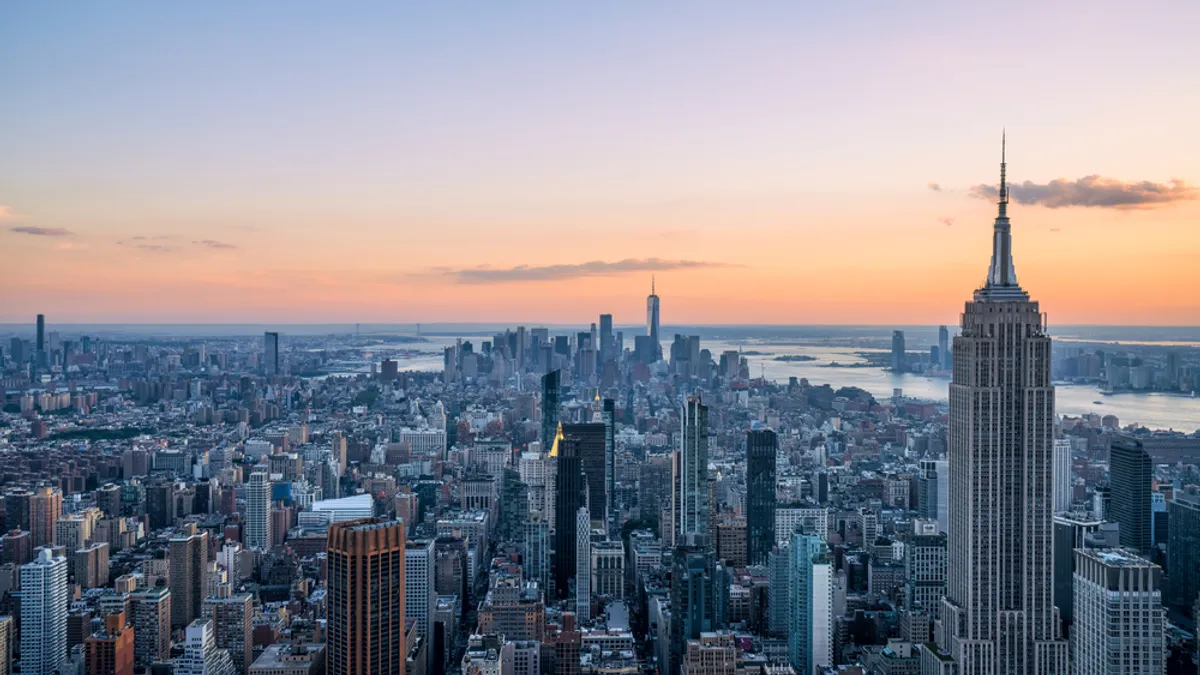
{"type": "Point", "coordinates": [1094, 192]}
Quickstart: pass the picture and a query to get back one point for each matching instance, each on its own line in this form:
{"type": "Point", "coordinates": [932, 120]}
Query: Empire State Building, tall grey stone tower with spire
{"type": "Point", "coordinates": [999, 616]}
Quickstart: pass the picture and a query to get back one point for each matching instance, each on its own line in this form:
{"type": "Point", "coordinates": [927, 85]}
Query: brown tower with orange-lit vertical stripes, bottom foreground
{"type": "Point", "coordinates": [367, 599]}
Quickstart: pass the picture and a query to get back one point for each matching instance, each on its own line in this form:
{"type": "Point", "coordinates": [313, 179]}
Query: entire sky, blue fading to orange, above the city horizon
{"type": "Point", "coordinates": [765, 163]}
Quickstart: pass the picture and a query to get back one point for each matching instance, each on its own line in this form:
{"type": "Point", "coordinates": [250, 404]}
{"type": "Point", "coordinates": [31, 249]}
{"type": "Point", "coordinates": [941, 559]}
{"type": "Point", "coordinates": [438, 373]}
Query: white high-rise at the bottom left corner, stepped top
{"type": "Point", "coordinates": [44, 614]}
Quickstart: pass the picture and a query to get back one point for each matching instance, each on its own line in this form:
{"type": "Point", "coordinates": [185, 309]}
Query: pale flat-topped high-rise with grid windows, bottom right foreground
{"type": "Point", "coordinates": [1120, 625]}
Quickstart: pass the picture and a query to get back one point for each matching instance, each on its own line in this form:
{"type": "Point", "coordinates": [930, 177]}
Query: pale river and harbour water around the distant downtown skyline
{"type": "Point", "coordinates": [1155, 411]}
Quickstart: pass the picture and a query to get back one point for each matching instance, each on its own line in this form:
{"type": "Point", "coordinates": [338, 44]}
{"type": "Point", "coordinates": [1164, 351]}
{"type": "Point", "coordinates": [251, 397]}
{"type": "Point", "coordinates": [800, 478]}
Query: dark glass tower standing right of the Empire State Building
{"type": "Point", "coordinates": [1131, 473]}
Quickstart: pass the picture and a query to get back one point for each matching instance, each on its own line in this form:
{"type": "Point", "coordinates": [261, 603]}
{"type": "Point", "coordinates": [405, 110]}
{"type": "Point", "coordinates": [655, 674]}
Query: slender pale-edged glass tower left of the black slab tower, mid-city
{"type": "Point", "coordinates": [691, 494]}
